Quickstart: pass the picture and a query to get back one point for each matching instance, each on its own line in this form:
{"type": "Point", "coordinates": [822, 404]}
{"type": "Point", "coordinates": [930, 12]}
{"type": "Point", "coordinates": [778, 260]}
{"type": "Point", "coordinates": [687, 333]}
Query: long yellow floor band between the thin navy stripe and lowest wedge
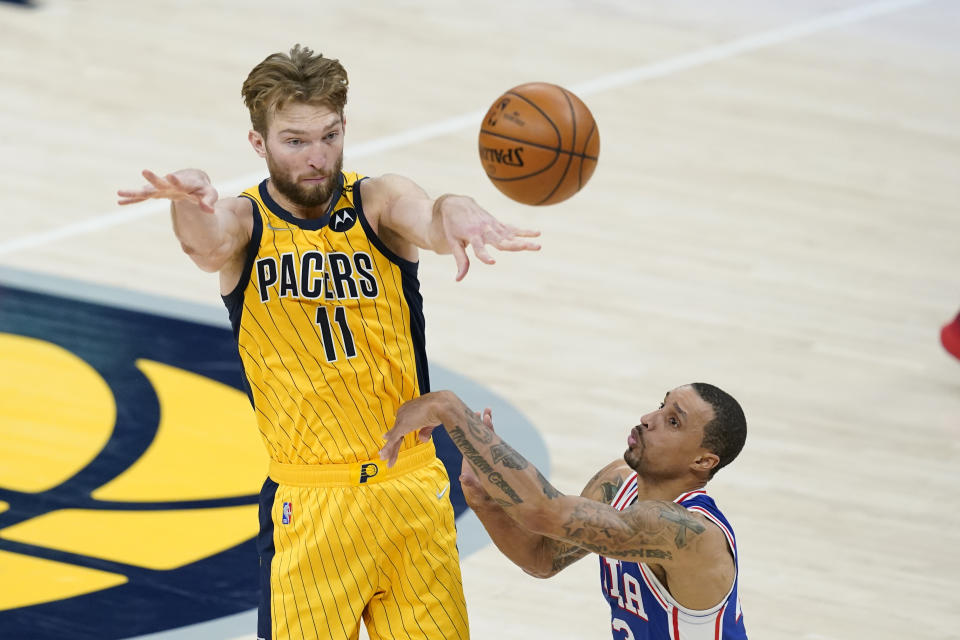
{"type": "Point", "coordinates": [151, 539]}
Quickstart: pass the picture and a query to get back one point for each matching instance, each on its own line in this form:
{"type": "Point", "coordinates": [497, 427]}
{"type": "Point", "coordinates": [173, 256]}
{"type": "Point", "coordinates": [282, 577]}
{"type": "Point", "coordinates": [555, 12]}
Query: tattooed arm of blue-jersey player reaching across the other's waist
{"type": "Point", "coordinates": [688, 548]}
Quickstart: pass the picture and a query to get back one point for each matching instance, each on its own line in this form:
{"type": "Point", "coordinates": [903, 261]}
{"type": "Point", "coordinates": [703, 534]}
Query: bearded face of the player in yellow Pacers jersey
{"type": "Point", "coordinates": [304, 152]}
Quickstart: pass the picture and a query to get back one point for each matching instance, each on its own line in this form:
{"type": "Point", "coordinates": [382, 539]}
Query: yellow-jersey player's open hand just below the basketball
{"type": "Point", "coordinates": [467, 224]}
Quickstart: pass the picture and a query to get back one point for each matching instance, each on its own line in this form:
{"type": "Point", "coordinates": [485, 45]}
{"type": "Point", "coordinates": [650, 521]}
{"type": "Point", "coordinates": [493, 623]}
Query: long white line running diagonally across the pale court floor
{"type": "Point", "coordinates": [458, 123]}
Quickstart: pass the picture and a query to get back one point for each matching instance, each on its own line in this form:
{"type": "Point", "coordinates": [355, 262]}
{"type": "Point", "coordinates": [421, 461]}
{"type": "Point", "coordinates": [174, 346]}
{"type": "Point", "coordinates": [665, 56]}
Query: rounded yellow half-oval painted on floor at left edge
{"type": "Point", "coordinates": [57, 413]}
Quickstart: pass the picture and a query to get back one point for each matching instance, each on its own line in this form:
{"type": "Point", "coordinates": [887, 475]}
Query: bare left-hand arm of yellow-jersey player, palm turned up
{"type": "Point", "coordinates": [212, 232]}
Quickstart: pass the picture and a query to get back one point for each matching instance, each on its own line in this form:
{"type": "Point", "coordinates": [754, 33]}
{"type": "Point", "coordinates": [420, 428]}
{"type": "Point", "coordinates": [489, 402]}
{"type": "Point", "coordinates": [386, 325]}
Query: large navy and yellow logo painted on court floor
{"type": "Point", "coordinates": [129, 472]}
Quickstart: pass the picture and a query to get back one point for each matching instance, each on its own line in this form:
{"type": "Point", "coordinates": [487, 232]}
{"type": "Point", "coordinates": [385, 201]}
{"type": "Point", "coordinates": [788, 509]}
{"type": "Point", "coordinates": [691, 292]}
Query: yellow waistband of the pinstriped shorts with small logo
{"type": "Point", "coordinates": [352, 474]}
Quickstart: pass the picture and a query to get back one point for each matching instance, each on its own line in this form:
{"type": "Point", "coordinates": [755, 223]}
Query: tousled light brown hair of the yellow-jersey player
{"type": "Point", "coordinates": [301, 76]}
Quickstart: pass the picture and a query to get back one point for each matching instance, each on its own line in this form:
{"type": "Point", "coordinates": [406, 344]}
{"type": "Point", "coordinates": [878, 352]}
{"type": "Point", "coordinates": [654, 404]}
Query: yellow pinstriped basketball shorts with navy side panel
{"type": "Point", "coordinates": [341, 543]}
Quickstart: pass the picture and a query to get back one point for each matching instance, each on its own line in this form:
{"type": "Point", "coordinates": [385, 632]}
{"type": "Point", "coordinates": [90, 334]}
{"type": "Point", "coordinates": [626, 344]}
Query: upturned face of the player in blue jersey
{"type": "Point", "coordinates": [668, 439]}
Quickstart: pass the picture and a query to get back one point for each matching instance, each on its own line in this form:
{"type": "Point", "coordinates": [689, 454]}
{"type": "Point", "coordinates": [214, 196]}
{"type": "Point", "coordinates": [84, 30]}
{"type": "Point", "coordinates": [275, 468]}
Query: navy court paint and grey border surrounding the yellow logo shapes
{"type": "Point", "coordinates": [109, 329]}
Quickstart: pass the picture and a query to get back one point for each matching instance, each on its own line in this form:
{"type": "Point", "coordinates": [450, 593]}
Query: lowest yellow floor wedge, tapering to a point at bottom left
{"type": "Point", "coordinates": [26, 581]}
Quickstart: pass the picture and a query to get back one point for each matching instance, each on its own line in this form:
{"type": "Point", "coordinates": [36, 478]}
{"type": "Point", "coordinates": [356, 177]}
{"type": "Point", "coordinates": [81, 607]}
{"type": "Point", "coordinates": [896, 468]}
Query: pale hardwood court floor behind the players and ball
{"type": "Point", "coordinates": [774, 211]}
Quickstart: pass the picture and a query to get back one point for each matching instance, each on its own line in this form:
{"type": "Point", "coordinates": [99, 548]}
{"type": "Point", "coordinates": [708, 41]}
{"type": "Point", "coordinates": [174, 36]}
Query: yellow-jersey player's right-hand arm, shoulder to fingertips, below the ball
{"type": "Point", "coordinates": [445, 225]}
